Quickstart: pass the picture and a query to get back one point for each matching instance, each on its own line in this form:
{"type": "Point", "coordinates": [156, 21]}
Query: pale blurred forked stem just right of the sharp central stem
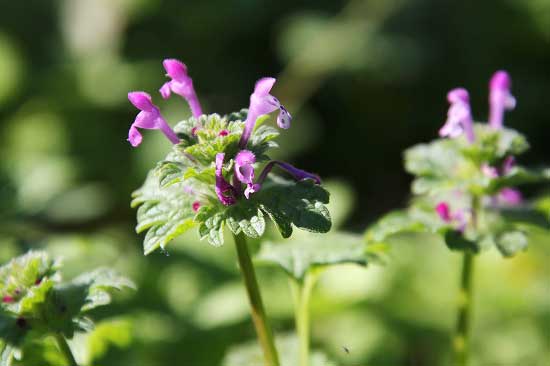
{"type": "Point", "coordinates": [301, 292]}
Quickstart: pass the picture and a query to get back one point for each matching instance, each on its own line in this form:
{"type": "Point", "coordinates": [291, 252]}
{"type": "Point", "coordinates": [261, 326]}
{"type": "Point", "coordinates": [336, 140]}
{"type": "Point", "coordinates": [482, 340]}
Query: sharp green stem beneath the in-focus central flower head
{"type": "Point", "coordinates": [263, 329]}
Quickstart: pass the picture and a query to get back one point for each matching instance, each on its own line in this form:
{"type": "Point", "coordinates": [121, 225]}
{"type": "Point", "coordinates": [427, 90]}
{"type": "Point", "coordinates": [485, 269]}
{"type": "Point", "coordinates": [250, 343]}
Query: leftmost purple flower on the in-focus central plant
{"type": "Point", "coordinates": [149, 118]}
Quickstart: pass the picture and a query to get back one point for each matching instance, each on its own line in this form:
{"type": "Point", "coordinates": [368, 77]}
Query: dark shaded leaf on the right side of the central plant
{"type": "Point", "coordinates": [299, 203]}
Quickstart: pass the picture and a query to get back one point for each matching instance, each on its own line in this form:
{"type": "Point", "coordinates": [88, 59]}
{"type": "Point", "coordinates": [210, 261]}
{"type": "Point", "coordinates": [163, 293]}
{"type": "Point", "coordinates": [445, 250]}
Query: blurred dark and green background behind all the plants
{"type": "Point", "coordinates": [363, 79]}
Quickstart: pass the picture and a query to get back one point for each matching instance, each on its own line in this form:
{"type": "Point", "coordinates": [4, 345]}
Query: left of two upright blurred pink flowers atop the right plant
{"type": "Point", "coordinates": [459, 116]}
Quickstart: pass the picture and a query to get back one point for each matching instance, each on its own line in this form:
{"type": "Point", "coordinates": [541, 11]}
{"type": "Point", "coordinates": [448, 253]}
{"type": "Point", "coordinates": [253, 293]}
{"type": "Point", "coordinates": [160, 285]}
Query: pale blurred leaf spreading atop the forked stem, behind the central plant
{"type": "Point", "coordinates": [299, 256]}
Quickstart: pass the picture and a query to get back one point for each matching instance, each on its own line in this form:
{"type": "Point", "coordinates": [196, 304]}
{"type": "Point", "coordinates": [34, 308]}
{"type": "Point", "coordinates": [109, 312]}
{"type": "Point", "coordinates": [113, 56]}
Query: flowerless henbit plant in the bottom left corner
{"type": "Point", "coordinates": [36, 304]}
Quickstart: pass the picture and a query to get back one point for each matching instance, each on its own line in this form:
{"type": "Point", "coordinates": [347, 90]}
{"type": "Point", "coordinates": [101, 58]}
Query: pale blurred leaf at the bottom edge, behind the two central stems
{"type": "Point", "coordinates": [249, 354]}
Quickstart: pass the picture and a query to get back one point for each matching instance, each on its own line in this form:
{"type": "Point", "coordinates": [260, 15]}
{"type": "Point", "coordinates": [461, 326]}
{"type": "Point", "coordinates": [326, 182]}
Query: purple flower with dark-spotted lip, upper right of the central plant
{"type": "Point", "coordinates": [261, 102]}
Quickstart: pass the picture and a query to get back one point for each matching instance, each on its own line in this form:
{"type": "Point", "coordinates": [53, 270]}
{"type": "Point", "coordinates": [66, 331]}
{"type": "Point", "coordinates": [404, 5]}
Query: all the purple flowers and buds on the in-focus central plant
{"type": "Point", "coordinates": [261, 103]}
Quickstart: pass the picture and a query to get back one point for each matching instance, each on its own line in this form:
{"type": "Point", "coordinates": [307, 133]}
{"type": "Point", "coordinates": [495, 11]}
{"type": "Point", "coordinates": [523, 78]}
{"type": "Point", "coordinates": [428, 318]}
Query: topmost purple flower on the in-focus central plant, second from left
{"type": "Point", "coordinates": [180, 84]}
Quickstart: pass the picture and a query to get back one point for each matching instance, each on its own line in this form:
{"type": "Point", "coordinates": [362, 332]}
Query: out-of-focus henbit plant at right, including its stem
{"type": "Point", "coordinates": [464, 191]}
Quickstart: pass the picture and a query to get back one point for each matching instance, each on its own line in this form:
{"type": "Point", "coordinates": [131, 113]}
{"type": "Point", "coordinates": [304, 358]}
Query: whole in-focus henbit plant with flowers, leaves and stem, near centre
{"type": "Point", "coordinates": [208, 180]}
